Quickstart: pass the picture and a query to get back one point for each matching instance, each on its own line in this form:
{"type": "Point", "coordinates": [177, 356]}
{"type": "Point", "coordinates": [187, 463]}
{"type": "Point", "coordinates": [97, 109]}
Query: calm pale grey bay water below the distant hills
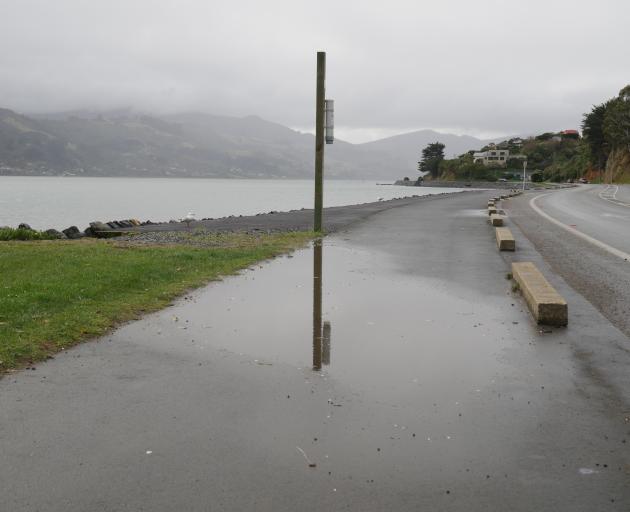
{"type": "Point", "coordinates": [56, 202]}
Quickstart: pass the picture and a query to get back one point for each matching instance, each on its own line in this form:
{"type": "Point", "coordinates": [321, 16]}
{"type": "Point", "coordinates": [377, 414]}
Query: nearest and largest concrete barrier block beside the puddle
{"type": "Point", "coordinates": [543, 301]}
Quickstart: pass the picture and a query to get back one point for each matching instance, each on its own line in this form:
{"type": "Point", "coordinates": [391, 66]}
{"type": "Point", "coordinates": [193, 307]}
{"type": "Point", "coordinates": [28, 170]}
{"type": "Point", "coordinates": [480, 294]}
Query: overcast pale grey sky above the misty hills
{"type": "Point", "coordinates": [481, 67]}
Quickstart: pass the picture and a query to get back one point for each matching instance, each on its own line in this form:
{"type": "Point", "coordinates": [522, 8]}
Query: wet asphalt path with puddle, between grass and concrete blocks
{"type": "Point", "coordinates": [436, 391]}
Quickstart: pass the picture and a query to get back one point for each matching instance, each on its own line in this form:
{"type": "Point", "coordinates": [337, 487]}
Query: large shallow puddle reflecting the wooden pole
{"type": "Point", "coordinates": [348, 314]}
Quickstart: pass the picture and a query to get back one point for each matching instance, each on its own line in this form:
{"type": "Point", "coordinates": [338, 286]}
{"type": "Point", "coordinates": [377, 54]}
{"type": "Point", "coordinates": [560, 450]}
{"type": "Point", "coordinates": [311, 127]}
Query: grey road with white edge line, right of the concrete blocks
{"type": "Point", "coordinates": [600, 275]}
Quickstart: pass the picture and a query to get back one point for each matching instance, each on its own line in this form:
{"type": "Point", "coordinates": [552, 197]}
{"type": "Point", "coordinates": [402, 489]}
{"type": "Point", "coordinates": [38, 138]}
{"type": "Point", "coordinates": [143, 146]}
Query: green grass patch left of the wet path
{"type": "Point", "coordinates": [55, 294]}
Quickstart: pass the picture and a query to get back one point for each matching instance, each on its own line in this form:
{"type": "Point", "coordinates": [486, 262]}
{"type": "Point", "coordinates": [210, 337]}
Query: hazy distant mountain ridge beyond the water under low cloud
{"type": "Point", "coordinates": [127, 143]}
